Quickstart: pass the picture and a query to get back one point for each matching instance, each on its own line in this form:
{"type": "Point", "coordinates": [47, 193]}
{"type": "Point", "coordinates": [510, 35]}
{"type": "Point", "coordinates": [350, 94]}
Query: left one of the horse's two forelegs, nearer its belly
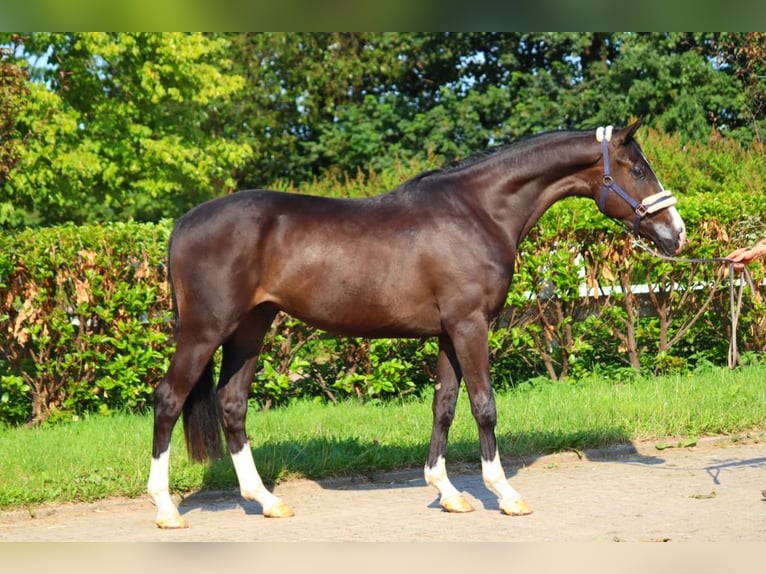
{"type": "Point", "coordinates": [445, 398]}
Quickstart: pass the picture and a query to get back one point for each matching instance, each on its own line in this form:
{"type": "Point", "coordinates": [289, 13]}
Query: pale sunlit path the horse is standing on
{"type": "Point", "coordinates": [710, 492]}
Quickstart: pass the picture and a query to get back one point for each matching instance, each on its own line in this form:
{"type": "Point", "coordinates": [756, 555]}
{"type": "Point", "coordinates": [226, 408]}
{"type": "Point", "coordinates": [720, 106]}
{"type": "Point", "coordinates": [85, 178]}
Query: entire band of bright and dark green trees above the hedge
{"type": "Point", "coordinates": [144, 125]}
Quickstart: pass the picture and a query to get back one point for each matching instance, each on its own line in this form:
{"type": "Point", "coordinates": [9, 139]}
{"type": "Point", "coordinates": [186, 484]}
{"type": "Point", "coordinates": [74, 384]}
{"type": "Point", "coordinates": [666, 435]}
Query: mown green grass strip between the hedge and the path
{"type": "Point", "coordinates": [98, 457]}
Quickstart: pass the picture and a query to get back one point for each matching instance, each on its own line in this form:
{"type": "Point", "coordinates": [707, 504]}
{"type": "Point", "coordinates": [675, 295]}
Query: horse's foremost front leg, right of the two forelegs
{"type": "Point", "coordinates": [470, 341]}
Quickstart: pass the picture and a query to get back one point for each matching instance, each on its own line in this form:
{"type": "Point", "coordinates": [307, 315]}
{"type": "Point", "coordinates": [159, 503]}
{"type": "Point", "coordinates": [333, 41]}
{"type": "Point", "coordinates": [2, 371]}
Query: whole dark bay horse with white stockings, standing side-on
{"type": "Point", "coordinates": [432, 258]}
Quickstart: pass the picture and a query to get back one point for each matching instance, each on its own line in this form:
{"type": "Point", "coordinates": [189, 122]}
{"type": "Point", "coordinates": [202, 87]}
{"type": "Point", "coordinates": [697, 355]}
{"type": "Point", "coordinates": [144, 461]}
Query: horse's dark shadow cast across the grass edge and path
{"type": "Point", "coordinates": [292, 458]}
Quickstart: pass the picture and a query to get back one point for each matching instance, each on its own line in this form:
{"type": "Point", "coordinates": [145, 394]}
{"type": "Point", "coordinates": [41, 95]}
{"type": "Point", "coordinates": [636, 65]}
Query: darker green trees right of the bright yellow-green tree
{"type": "Point", "coordinates": [315, 103]}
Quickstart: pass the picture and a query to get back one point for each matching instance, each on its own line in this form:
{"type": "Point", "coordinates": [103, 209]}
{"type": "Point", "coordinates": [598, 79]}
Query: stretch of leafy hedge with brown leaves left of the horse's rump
{"type": "Point", "coordinates": [85, 319]}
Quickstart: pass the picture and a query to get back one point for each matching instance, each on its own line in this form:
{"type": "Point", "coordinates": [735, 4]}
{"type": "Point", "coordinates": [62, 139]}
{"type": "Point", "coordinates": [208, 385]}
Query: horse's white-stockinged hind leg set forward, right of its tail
{"type": "Point", "coordinates": [239, 362]}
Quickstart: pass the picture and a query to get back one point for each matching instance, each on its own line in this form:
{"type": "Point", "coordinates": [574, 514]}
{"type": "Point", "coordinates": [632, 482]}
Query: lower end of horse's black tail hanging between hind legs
{"type": "Point", "coordinates": [202, 419]}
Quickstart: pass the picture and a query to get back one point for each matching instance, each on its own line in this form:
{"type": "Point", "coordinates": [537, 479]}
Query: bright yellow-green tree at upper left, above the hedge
{"type": "Point", "coordinates": [122, 126]}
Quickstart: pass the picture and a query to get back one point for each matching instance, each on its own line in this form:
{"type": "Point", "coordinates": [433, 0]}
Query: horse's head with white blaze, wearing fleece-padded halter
{"type": "Point", "coordinates": [631, 193]}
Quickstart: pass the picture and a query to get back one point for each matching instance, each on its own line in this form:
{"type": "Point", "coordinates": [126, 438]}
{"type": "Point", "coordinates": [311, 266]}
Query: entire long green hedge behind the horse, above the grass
{"type": "Point", "coordinates": [86, 314]}
